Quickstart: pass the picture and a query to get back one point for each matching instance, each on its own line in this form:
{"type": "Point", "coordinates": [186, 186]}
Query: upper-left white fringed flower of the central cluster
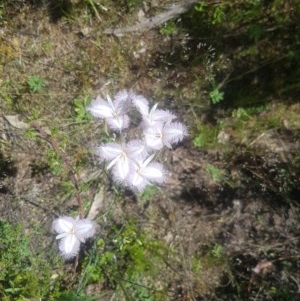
{"type": "Point", "coordinates": [114, 112]}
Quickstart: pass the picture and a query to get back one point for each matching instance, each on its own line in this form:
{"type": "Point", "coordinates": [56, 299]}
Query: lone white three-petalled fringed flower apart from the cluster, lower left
{"type": "Point", "coordinates": [71, 233]}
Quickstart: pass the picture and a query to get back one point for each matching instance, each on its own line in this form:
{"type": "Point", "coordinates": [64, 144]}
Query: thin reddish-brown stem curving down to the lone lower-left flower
{"type": "Point", "coordinates": [62, 154]}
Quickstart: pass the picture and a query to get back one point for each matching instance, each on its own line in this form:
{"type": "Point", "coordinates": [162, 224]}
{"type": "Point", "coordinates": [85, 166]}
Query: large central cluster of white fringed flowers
{"type": "Point", "coordinates": [131, 162]}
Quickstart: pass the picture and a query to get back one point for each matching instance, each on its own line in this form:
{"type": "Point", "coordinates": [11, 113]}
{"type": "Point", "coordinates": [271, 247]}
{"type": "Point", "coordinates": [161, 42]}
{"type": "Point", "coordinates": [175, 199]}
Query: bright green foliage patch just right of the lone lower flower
{"type": "Point", "coordinates": [124, 257]}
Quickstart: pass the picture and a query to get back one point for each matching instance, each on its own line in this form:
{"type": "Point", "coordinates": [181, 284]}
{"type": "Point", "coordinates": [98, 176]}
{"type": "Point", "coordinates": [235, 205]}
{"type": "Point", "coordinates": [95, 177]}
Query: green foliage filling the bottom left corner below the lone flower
{"type": "Point", "coordinates": [21, 276]}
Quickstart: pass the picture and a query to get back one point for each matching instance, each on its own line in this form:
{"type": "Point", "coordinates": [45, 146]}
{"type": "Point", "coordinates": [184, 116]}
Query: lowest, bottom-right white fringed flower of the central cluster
{"type": "Point", "coordinates": [144, 173]}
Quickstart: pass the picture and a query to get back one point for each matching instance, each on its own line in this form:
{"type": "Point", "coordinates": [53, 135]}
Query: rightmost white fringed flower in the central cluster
{"type": "Point", "coordinates": [160, 135]}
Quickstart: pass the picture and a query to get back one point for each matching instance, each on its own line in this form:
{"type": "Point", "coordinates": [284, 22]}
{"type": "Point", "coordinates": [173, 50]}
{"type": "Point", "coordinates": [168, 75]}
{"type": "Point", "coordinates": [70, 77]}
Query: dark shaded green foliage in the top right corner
{"type": "Point", "coordinates": [259, 34]}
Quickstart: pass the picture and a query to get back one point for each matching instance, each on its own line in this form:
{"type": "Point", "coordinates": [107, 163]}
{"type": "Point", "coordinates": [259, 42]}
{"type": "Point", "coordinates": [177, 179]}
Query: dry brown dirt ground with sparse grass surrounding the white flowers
{"type": "Point", "coordinates": [242, 226]}
